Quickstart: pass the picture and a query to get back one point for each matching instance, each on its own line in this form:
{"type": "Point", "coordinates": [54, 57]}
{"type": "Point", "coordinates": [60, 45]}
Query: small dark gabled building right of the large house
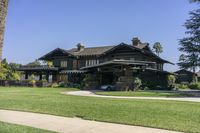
{"type": "Point", "coordinates": [185, 76]}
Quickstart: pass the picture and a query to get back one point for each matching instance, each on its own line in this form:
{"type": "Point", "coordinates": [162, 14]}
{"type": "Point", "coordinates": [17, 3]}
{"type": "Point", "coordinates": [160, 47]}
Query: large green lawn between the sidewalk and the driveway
{"type": "Point", "coordinates": [173, 115]}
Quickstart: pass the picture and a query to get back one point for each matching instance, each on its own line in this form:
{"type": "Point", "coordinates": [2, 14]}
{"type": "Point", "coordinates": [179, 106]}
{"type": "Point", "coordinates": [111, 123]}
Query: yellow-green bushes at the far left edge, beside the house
{"type": "Point", "coordinates": [8, 71]}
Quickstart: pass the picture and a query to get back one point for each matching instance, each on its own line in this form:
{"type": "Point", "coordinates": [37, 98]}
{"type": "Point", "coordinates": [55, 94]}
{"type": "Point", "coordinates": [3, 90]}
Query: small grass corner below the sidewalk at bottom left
{"type": "Point", "coordinates": [13, 128]}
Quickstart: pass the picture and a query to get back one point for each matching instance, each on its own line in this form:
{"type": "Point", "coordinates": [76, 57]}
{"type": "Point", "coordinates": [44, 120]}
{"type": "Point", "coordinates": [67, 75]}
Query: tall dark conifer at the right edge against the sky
{"type": "Point", "coordinates": [190, 45]}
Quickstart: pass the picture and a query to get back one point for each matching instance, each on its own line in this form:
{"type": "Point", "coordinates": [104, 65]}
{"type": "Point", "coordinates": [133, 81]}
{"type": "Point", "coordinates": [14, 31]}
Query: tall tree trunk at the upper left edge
{"type": "Point", "coordinates": [3, 13]}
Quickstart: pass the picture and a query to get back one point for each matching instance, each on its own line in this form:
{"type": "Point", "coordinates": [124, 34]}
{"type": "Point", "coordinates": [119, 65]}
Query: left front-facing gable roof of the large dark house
{"type": "Point", "coordinates": [56, 52]}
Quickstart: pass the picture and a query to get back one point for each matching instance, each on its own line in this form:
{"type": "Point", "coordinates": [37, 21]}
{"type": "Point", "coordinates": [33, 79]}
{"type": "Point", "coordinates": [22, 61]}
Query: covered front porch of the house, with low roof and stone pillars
{"type": "Point", "coordinates": [121, 73]}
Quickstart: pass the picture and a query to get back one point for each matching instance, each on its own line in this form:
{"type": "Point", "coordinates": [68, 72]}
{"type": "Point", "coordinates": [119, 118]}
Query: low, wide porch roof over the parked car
{"type": "Point", "coordinates": [119, 62]}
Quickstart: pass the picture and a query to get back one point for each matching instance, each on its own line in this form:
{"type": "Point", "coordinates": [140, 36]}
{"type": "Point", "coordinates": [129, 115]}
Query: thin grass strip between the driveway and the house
{"type": "Point", "coordinates": [142, 94]}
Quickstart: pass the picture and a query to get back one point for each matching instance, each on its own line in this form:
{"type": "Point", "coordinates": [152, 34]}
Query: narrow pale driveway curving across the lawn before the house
{"type": "Point", "coordinates": [92, 94]}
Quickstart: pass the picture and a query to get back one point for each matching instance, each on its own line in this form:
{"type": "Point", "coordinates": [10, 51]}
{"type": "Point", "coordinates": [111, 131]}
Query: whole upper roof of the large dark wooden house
{"type": "Point", "coordinates": [99, 51]}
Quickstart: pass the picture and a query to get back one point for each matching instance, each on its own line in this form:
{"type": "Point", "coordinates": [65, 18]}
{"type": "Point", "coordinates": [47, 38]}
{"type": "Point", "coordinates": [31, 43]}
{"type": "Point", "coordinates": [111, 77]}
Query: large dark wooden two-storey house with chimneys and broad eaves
{"type": "Point", "coordinates": [116, 64]}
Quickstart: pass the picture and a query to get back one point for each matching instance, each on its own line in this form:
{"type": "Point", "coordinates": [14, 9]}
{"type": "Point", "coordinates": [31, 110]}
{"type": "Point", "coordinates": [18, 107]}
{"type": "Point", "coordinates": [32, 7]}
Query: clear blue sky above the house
{"type": "Point", "coordinates": [35, 27]}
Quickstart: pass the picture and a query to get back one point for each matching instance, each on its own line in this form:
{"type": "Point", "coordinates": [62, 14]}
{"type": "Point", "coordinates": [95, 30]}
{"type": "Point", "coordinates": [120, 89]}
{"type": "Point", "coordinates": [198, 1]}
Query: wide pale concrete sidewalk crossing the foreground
{"type": "Point", "coordinates": [71, 125]}
